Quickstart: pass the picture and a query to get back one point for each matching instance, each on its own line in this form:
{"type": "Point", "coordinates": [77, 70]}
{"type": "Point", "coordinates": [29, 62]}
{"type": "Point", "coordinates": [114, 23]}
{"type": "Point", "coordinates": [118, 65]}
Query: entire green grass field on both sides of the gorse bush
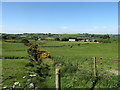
{"type": "Point", "coordinates": [66, 58]}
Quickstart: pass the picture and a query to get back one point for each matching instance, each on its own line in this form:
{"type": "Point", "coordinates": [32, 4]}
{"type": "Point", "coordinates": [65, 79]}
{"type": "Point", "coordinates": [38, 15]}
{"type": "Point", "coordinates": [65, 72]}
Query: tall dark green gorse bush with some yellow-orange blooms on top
{"type": "Point", "coordinates": [36, 67]}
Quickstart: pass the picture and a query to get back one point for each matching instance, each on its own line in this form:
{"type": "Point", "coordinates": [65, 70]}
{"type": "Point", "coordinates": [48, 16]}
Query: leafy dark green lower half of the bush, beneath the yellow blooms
{"type": "Point", "coordinates": [36, 74]}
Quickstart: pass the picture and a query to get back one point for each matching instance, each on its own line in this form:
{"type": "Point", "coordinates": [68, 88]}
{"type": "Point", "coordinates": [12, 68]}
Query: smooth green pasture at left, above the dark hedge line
{"type": "Point", "coordinates": [13, 49]}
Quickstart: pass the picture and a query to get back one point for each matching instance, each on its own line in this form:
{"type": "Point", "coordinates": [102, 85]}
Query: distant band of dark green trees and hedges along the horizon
{"type": "Point", "coordinates": [58, 37]}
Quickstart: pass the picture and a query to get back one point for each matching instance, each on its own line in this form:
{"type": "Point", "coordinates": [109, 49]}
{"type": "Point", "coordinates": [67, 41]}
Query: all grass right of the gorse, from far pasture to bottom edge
{"type": "Point", "coordinates": [82, 56]}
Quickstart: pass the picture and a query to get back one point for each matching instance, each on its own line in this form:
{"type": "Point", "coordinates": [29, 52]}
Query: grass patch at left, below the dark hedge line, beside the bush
{"type": "Point", "coordinates": [13, 70]}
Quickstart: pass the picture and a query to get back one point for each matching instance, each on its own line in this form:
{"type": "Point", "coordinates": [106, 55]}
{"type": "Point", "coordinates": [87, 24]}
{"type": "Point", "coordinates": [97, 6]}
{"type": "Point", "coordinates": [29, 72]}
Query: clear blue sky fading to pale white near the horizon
{"type": "Point", "coordinates": [60, 17]}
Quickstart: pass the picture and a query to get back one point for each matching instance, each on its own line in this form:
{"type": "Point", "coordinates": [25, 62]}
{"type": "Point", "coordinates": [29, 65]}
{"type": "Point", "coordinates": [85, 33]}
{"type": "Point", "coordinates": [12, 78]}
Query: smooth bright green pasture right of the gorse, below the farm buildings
{"type": "Point", "coordinates": [104, 50]}
